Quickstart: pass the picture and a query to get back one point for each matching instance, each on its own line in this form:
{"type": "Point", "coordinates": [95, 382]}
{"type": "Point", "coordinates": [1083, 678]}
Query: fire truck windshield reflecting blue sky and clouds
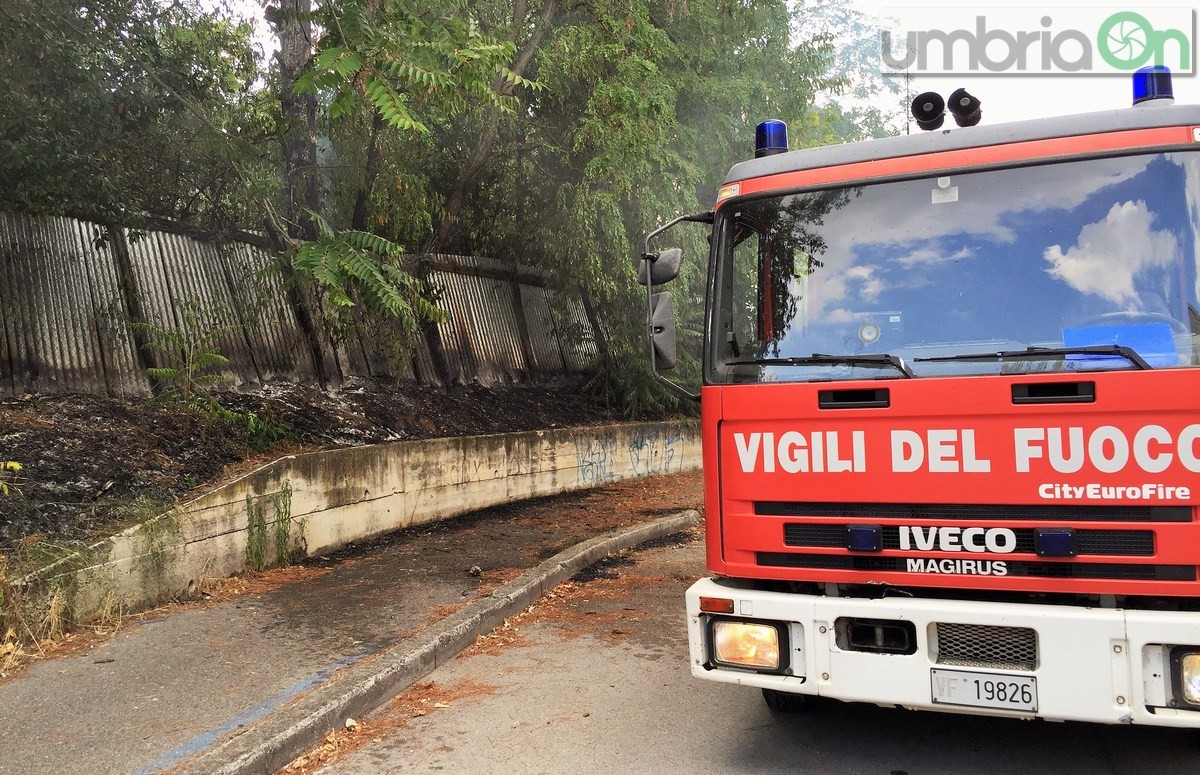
{"type": "Point", "coordinates": [1093, 261]}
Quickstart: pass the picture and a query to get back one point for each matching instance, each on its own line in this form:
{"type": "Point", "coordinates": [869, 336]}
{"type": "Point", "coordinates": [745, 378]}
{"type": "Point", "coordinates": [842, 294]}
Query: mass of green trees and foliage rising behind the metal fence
{"type": "Point", "coordinates": [543, 133]}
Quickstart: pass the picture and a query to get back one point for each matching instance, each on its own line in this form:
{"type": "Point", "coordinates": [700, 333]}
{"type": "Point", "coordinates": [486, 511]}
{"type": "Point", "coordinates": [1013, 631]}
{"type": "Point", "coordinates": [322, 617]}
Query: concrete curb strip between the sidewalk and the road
{"type": "Point", "coordinates": [275, 742]}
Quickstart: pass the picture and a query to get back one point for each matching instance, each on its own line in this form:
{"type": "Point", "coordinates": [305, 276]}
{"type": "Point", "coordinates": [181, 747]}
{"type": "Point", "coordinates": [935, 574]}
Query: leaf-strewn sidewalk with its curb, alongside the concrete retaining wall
{"type": "Point", "coordinates": [248, 684]}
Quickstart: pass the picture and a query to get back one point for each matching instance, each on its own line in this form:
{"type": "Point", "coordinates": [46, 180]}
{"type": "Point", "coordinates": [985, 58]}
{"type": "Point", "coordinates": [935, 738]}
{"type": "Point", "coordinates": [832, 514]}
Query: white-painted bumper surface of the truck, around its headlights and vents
{"type": "Point", "coordinates": [1099, 665]}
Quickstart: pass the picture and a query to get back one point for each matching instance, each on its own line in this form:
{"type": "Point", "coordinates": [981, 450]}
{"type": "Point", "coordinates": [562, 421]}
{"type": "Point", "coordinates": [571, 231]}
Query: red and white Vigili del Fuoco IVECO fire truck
{"type": "Point", "coordinates": [951, 414]}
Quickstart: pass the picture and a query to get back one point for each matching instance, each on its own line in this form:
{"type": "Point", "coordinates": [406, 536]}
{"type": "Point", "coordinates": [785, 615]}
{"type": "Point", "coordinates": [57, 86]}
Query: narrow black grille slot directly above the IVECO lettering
{"type": "Point", "coordinates": [1040, 514]}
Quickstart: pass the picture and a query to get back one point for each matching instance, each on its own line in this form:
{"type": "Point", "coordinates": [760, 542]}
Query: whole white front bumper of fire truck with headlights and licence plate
{"type": "Point", "coordinates": [1054, 663]}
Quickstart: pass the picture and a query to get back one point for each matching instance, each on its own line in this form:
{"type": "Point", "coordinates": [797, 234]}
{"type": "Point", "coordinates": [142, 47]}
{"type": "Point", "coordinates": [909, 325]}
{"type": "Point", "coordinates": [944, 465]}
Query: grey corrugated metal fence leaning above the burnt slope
{"type": "Point", "coordinates": [70, 290]}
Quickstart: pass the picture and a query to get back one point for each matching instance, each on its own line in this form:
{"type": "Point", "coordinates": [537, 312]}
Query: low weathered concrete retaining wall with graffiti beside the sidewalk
{"type": "Point", "coordinates": [310, 504]}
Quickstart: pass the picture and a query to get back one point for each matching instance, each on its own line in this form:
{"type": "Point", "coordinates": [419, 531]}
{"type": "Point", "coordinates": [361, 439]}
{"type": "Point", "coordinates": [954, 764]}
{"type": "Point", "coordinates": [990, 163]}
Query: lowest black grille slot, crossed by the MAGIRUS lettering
{"type": "Point", "coordinates": [1013, 568]}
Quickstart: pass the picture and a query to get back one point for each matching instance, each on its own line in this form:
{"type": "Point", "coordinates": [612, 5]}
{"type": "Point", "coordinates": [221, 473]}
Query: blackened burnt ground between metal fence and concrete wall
{"type": "Point", "coordinates": [92, 464]}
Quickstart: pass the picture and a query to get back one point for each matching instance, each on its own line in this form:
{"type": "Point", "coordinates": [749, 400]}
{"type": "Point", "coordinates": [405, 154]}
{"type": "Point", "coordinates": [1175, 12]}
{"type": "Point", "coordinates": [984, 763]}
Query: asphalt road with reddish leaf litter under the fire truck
{"type": "Point", "coordinates": [596, 681]}
